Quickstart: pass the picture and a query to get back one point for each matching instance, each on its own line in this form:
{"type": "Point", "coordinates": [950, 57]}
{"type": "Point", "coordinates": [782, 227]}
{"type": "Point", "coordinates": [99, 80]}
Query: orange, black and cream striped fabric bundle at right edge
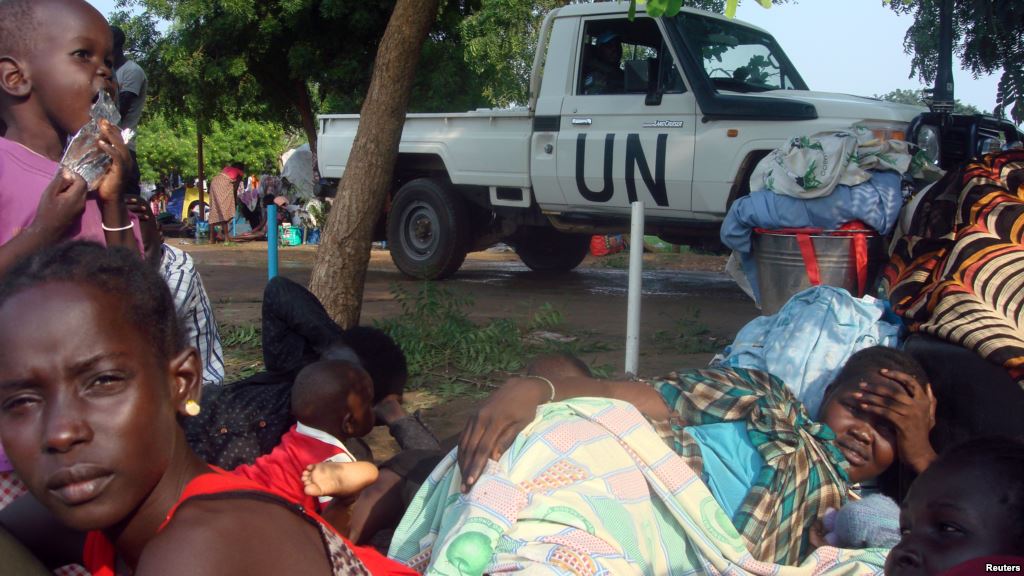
{"type": "Point", "coordinates": [961, 278]}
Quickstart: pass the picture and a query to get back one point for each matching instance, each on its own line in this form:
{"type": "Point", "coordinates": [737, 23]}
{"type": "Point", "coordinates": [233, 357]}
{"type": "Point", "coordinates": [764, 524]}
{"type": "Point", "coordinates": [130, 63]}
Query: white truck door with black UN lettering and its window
{"type": "Point", "coordinates": [615, 145]}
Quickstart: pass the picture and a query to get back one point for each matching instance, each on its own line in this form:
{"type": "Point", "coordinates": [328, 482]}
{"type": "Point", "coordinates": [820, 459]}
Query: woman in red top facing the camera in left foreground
{"type": "Point", "coordinates": [94, 380]}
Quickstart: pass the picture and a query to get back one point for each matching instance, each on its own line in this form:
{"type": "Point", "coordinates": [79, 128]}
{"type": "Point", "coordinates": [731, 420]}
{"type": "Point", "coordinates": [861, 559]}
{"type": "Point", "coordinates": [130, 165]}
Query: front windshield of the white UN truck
{"type": "Point", "coordinates": [737, 58]}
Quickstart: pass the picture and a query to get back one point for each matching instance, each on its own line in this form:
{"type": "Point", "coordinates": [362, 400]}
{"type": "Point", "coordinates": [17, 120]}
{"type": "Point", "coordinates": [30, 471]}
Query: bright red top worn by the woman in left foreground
{"type": "Point", "coordinates": [99, 556]}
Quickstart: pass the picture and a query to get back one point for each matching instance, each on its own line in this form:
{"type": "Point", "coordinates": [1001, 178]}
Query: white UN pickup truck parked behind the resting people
{"type": "Point", "coordinates": [675, 112]}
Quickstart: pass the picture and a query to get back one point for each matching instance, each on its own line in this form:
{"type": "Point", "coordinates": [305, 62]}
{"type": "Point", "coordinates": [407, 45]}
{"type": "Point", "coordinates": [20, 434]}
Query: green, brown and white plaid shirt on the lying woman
{"type": "Point", "coordinates": [804, 473]}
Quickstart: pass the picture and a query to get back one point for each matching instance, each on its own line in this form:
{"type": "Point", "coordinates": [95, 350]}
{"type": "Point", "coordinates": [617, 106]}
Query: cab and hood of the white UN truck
{"type": "Point", "coordinates": [700, 101]}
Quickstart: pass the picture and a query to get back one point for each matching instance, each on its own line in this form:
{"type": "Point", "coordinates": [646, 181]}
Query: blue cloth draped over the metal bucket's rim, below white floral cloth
{"type": "Point", "coordinates": [877, 203]}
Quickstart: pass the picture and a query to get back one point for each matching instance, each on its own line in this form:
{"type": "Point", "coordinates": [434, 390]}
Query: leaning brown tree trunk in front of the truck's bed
{"type": "Point", "coordinates": [340, 271]}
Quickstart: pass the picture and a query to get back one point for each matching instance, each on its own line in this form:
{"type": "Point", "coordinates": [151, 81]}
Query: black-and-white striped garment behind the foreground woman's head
{"type": "Point", "coordinates": [195, 312]}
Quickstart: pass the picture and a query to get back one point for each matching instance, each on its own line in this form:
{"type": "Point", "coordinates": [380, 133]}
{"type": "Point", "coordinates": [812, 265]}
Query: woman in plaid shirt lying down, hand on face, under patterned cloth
{"type": "Point", "coordinates": [593, 483]}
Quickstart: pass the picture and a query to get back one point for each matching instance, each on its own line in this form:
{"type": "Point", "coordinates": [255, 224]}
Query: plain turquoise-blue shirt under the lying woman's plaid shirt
{"type": "Point", "coordinates": [732, 463]}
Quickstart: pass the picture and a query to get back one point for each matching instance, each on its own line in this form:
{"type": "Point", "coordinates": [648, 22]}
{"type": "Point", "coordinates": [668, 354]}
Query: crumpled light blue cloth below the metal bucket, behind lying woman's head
{"type": "Point", "coordinates": [807, 343]}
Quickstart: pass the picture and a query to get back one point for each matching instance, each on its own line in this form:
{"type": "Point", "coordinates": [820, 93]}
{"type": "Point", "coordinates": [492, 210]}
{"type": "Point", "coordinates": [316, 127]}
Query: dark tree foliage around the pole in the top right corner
{"type": "Point", "coordinates": [989, 36]}
